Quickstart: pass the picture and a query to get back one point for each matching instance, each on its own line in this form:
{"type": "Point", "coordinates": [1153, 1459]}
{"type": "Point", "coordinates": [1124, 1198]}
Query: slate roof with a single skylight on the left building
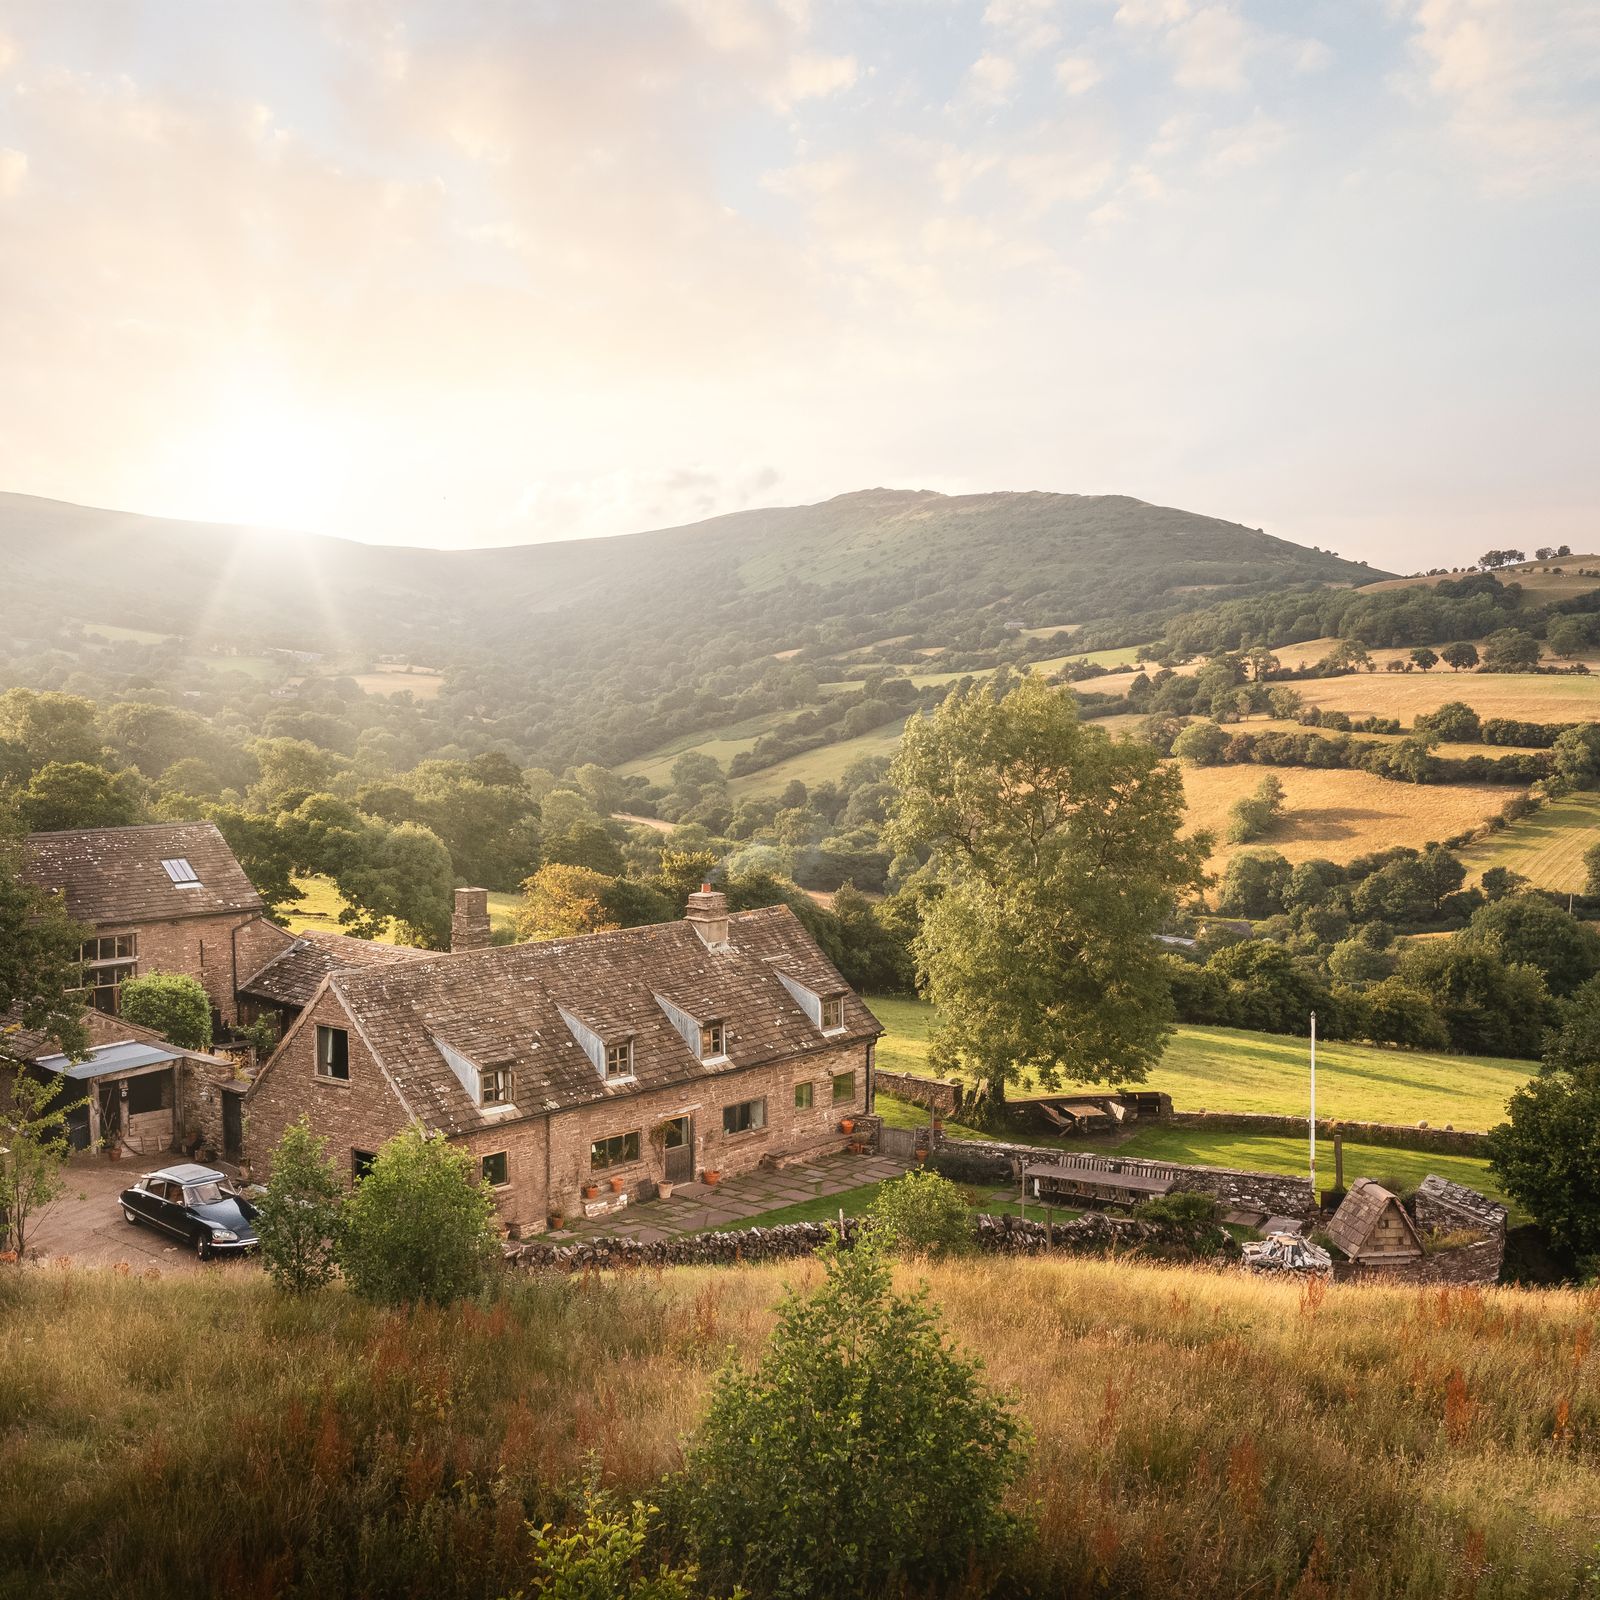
{"type": "Point", "coordinates": [114, 876]}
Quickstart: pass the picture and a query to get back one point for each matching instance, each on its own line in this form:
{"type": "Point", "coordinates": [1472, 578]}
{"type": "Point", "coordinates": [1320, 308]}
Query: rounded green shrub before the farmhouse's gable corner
{"type": "Point", "coordinates": [420, 1225]}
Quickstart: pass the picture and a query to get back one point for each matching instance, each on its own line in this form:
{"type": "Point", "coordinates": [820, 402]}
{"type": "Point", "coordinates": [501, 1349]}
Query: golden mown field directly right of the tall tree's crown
{"type": "Point", "coordinates": [1338, 815]}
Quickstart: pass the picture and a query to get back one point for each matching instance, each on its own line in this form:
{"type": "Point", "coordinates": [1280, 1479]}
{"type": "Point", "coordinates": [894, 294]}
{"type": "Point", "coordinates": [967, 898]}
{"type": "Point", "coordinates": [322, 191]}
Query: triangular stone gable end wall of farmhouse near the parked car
{"type": "Point", "coordinates": [353, 1116]}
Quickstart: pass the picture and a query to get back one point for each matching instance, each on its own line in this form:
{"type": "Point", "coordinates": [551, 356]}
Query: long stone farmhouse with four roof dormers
{"type": "Point", "coordinates": [585, 1073]}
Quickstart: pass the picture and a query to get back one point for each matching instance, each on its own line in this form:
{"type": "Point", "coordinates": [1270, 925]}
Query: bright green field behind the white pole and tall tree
{"type": "Point", "coordinates": [1230, 1070]}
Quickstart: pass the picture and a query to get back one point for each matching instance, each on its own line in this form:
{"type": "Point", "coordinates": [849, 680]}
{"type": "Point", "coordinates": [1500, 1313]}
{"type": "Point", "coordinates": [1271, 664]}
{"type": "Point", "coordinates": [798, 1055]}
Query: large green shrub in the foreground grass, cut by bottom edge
{"type": "Point", "coordinates": [865, 1457]}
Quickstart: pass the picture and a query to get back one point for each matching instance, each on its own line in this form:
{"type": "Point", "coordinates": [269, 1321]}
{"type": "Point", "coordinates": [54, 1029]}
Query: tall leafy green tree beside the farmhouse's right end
{"type": "Point", "coordinates": [1062, 857]}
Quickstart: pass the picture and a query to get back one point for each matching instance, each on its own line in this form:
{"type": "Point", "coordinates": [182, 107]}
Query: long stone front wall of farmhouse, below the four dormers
{"type": "Point", "coordinates": [538, 1190]}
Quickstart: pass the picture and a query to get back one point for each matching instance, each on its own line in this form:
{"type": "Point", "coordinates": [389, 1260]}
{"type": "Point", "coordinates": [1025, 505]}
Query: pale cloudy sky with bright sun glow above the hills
{"type": "Point", "coordinates": [502, 271]}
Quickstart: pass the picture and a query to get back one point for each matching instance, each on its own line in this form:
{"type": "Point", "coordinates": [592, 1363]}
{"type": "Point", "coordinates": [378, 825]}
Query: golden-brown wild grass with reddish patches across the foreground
{"type": "Point", "coordinates": [1194, 1434]}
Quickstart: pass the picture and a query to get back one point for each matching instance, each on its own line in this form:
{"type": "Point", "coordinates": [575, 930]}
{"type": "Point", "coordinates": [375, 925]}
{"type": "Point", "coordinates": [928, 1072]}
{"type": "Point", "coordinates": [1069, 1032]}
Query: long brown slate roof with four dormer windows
{"type": "Point", "coordinates": [502, 1007]}
